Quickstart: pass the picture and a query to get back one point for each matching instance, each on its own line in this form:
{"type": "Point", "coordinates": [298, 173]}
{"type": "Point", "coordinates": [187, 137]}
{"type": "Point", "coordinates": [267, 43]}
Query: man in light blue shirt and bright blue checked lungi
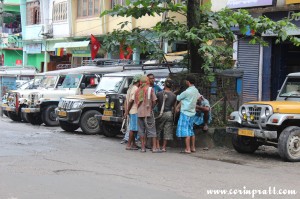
{"type": "Point", "coordinates": [188, 99]}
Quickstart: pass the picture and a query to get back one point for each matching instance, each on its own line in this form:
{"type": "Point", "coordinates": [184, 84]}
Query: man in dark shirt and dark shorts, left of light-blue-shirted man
{"type": "Point", "coordinates": [166, 100]}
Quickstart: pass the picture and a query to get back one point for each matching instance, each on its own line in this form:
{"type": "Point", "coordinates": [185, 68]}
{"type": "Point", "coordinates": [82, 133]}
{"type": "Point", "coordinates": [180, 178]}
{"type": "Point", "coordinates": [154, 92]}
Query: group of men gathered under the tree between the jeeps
{"type": "Point", "coordinates": [150, 111]}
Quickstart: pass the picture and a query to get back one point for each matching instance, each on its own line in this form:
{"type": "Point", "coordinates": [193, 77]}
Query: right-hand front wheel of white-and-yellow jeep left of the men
{"type": "Point", "coordinates": [89, 123]}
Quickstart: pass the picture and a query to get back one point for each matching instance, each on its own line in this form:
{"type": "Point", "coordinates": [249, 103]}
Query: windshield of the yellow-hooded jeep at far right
{"type": "Point", "coordinates": [291, 88]}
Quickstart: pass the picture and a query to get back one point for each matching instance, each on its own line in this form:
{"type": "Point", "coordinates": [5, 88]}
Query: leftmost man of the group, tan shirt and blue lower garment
{"type": "Point", "coordinates": [131, 108]}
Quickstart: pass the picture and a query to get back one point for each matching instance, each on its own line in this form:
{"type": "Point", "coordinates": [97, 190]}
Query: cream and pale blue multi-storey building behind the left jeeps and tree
{"type": "Point", "coordinates": [49, 25]}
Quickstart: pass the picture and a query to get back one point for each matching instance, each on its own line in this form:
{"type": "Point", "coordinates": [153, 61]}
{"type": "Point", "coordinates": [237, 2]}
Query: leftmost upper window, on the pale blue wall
{"type": "Point", "coordinates": [33, 13]}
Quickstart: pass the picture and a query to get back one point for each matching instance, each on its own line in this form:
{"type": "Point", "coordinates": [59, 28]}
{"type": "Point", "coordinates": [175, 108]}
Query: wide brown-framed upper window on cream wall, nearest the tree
{"type": "Point", "coordinates": [86, 8]}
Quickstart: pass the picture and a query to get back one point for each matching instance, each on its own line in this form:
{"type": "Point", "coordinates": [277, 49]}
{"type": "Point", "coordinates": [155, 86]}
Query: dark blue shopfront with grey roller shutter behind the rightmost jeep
{"type": "Point", "coordinates": [265, 67]}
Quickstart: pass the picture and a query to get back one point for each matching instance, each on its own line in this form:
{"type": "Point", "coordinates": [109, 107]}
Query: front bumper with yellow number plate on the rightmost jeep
{"type": "Point", "coordinates": [264, 134]}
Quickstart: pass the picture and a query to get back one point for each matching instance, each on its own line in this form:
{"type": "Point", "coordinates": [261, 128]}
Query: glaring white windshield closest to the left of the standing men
{"type": "Point", "coordinates": [109, 84]}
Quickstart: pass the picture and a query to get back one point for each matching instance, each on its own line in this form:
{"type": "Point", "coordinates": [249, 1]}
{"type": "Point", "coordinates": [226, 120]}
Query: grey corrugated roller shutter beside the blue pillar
{"type": "Point", "coordinates": [248, 59]}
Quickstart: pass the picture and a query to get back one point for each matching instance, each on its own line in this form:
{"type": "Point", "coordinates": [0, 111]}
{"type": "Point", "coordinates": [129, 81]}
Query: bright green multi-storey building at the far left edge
{"type": "Point", "coordinates": [10, 33]}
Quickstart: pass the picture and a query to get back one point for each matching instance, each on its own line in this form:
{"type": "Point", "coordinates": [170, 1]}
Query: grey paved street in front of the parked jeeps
{"type": "Point", "coordinates": [39, 162]}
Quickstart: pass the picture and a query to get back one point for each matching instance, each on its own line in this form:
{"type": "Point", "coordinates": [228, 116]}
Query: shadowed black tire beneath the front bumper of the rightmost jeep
{"type": "Point", "coordinates": [244, 144]}
